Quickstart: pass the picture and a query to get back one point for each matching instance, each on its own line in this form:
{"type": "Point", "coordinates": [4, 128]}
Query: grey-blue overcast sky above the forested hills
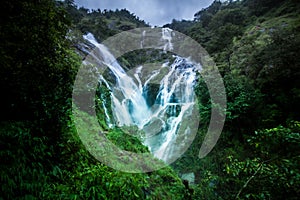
{"type": "Point", "coordinates": [154, 12]}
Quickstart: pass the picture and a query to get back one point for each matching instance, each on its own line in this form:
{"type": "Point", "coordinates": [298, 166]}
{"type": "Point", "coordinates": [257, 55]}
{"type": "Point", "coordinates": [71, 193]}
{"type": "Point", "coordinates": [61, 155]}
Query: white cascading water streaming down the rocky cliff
{"type": "Point", "coordinates": [163, 119]}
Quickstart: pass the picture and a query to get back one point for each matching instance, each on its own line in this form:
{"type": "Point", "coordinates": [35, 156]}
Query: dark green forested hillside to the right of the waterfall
{"type": "Point", "coordinates": [255, 45]}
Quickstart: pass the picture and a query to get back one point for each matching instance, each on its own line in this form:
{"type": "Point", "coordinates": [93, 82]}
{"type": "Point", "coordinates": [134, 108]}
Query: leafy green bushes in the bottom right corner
{"type": "Point", "coordinates": [271, 169]}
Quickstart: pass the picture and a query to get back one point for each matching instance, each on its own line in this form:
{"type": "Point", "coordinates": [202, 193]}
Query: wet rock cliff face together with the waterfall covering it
{"type": "Point", "coordinates": [158, 98]}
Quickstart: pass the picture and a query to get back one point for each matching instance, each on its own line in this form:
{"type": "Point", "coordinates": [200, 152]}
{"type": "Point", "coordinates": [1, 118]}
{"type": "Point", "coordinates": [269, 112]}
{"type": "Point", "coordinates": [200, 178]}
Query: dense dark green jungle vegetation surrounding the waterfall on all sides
{"type": "Point", "coordinates": [255, 44]}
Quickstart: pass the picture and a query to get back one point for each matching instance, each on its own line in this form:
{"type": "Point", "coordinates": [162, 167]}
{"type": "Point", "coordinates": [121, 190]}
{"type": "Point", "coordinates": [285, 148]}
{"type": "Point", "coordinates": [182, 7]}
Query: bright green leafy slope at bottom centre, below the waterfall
{"type": "Point", "coordinates": [89, 179]}
